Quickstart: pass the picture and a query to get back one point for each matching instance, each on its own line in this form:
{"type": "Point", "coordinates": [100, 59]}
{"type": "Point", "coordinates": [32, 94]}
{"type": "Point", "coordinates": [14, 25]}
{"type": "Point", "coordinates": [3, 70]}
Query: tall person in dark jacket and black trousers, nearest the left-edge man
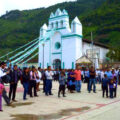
{"type": "Point", "coordinates": [15, 75]}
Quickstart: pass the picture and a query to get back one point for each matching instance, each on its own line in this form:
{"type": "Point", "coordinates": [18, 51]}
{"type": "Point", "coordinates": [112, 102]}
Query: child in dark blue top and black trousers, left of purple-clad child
{"type": "Point", "coordinates": [105, 85]}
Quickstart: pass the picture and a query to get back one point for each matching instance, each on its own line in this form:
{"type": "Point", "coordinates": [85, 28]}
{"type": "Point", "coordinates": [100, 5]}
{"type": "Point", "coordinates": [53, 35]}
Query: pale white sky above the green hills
{"type": "Point", "coordinates": [7, 5]}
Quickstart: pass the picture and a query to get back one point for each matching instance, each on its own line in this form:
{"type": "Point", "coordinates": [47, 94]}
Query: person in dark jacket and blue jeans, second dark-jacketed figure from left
{"type": "Point", "coordinates": [25, 82]}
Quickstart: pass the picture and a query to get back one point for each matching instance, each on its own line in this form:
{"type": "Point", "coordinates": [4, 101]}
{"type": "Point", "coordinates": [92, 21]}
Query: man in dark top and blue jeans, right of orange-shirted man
{"type": "Point", "coordinates": [92, 79]}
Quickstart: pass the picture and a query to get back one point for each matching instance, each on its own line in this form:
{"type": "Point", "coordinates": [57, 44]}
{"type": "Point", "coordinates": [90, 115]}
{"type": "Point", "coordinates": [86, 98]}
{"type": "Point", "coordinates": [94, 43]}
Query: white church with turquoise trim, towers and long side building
{"type": "Point", "coordinates": [61, 44]}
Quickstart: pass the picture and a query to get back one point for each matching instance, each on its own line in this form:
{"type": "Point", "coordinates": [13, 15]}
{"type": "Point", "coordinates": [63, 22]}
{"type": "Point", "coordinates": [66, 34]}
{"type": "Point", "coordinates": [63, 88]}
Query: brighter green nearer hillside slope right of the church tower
{"type": "Point", "coordinates": [105, 23]}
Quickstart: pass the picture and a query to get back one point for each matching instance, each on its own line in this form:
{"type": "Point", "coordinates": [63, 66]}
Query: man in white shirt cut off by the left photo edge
{"type": "Point", "coordinates": [3, 74]}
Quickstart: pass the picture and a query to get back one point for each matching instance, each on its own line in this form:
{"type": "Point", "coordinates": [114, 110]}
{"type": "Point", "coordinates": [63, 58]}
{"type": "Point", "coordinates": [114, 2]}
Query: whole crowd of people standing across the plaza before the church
{"type": "Point", "coordinates": [30, 78]}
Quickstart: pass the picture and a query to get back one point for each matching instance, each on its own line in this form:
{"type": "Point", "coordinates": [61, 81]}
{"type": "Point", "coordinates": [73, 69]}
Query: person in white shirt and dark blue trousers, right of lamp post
{"type": "Point", "coordinates": [49, 77]}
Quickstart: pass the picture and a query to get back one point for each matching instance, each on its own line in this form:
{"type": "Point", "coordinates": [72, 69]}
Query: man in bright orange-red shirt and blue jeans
{"type": "Point", "coordinates": [78, 79]}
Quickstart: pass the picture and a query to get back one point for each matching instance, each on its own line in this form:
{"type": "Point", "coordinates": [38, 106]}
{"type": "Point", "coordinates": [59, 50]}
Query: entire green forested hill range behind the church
{"type": "Point", "coordinates": [100, 16]}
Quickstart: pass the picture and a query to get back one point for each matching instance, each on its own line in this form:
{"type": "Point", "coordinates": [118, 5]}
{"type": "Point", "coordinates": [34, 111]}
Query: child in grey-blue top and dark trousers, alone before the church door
{"type": "Point", "coordinates": [62, 84]}
